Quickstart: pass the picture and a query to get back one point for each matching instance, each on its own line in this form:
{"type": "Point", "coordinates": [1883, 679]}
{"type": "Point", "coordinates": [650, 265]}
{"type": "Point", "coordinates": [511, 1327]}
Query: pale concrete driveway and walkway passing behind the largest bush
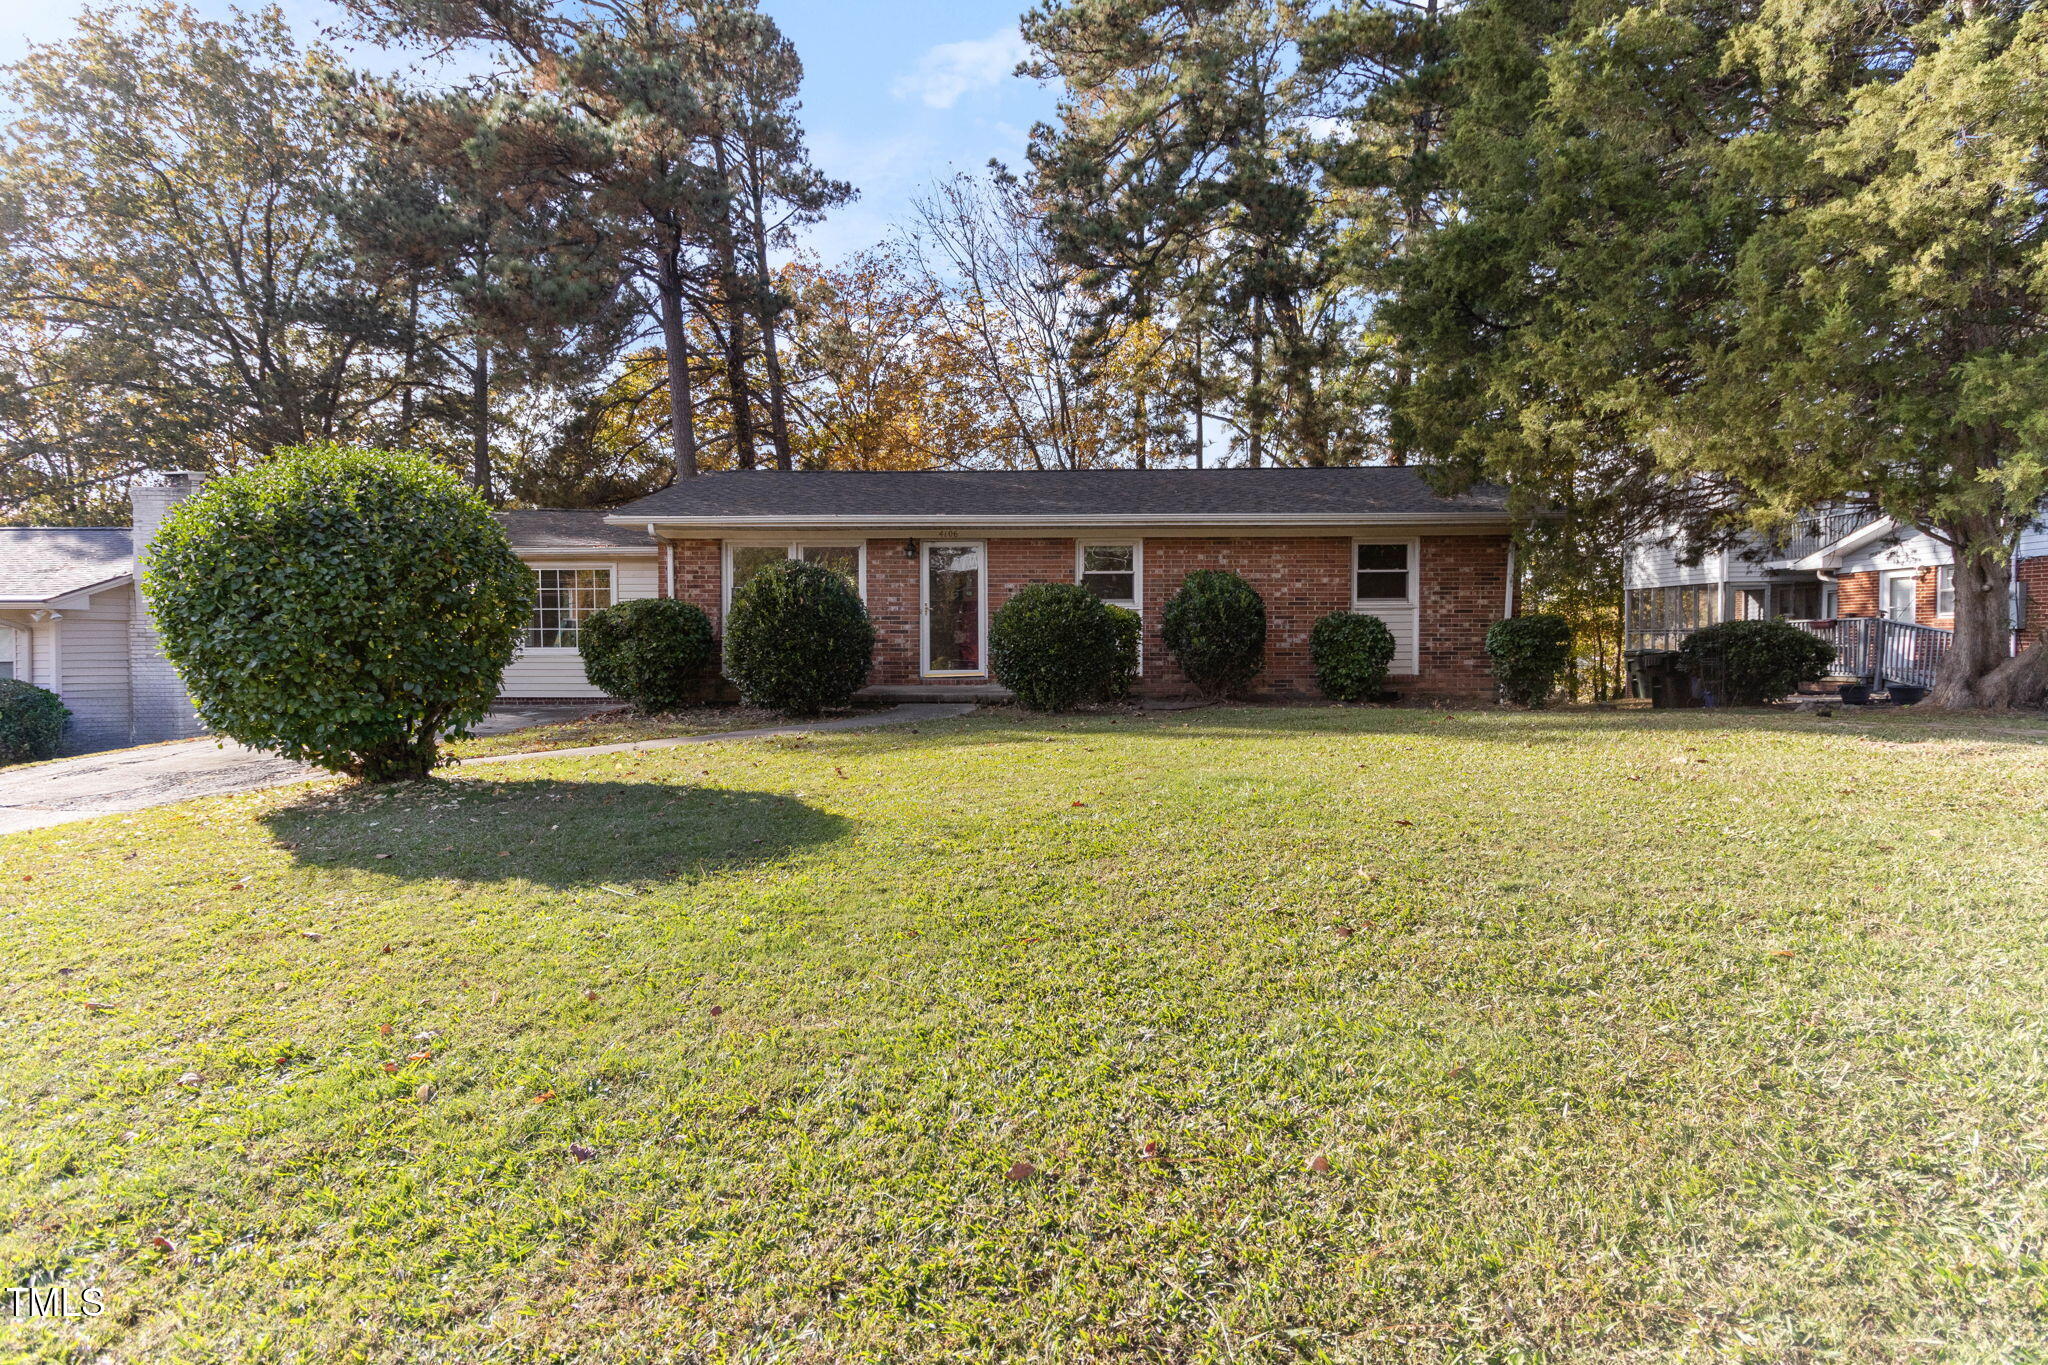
{"type": "Point", "coordinates": [151, 777]}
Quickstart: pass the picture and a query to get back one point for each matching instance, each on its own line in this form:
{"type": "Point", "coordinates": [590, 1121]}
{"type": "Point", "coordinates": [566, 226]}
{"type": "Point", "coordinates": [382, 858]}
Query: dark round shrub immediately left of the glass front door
{"type": "Point", "coordinates": [798, 640]}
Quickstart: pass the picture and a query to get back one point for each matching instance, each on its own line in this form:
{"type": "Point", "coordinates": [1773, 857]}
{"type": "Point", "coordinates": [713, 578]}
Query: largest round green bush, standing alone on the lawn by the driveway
{"type": "Point", "coordinates": [349, 609]}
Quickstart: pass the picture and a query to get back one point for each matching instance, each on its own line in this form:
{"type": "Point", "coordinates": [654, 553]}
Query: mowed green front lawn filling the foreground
{"type": "Point", "coordinates": [1623, 1037]}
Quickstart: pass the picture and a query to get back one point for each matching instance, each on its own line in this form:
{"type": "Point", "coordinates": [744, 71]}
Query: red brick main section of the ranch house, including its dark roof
{"type": "Point", "coordinates": [935, 554]}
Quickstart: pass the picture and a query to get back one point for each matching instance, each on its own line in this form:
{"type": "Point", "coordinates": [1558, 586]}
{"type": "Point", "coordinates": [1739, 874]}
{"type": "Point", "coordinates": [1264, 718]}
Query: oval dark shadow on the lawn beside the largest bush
{"type": "Point", "coordinates": [552, 834]}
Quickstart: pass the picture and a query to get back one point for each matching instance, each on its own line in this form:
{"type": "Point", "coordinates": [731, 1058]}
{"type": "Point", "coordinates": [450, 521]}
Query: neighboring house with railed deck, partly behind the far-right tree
{"type": "Point", "coordinates": [1842, 568]}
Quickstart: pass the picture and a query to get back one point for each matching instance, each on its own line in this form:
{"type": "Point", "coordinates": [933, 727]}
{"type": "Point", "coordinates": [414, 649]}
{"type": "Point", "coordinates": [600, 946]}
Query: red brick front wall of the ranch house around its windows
{"type": "Point", "coordinates": [1302, 578]}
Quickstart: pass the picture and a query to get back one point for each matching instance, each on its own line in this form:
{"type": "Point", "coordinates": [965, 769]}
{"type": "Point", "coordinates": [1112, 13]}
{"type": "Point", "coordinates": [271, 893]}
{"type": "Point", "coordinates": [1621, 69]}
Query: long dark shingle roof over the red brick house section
{"type": "Point", "coordinates": [1195, 494]}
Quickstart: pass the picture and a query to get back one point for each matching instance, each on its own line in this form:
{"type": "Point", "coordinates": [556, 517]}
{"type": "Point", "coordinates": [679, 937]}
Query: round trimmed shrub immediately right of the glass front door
{"type": "Point", "coordinates": [1058, 646]}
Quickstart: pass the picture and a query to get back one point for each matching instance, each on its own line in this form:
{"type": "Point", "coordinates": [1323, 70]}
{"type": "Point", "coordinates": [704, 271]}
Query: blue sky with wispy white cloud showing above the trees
{"type": "Point", "coordinates": [896, 93]}
